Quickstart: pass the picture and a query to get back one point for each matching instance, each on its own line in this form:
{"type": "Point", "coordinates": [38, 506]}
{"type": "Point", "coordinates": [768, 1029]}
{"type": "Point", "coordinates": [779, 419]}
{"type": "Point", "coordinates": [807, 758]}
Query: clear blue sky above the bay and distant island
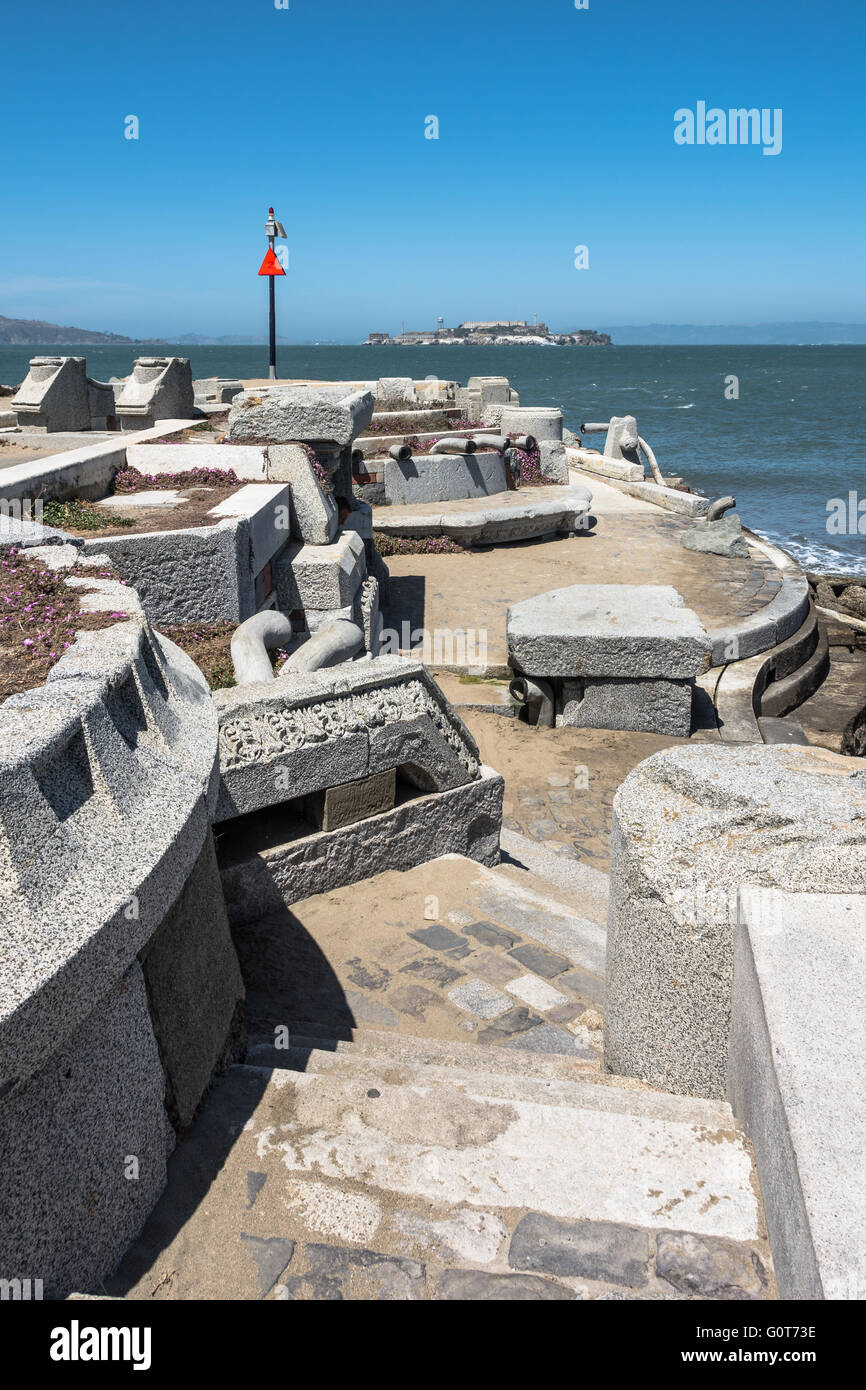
{"type": "Point", "coordinates": [555, 130]}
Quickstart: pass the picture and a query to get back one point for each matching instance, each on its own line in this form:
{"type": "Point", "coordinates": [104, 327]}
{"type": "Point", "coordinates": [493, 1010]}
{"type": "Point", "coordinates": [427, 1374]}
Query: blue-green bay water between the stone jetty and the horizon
{"type": "Point", "coordinates": [792, 447]}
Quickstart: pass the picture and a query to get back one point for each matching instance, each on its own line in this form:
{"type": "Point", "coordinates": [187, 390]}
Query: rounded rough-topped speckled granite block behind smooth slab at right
{"type": "Point", "coordinates": [690, 826]}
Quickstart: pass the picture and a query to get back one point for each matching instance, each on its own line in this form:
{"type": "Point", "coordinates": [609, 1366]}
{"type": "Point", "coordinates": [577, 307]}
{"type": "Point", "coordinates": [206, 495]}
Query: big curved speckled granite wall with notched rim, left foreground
{"type": "Point", "coordinates": [109, 778]}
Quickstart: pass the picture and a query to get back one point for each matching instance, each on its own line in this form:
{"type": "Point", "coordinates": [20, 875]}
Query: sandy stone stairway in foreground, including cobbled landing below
{"type": "Point", "coordinates": [429, 1117]}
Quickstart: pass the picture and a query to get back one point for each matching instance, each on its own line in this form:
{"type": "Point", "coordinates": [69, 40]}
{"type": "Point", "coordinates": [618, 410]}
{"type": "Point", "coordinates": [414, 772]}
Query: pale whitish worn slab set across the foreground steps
{"type": "Point", "coordinates": [575, 1156]}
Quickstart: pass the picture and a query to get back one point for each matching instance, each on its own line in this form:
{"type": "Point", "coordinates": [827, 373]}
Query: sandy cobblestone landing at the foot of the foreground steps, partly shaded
{"type": "Point", "coordinates": [475, 974]}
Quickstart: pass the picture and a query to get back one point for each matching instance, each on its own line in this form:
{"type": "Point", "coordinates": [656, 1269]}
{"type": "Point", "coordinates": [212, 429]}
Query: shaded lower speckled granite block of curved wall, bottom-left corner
{"type": "Point", "coordinates": [85, 1142]}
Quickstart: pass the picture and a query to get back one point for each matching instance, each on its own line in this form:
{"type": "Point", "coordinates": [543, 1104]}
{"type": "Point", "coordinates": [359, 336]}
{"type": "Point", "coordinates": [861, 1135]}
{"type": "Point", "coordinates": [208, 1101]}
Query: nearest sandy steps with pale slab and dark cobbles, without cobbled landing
{"type": "Point", "coordinates": [352, 1184]}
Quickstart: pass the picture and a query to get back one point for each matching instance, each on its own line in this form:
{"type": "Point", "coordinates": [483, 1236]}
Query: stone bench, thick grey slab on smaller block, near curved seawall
{"type": "Point", "coordinates": [621, 655]}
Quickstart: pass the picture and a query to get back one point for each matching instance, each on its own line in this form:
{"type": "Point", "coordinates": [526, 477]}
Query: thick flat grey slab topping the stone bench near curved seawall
{"type": "Point", "coordinates": [600, 630]}
